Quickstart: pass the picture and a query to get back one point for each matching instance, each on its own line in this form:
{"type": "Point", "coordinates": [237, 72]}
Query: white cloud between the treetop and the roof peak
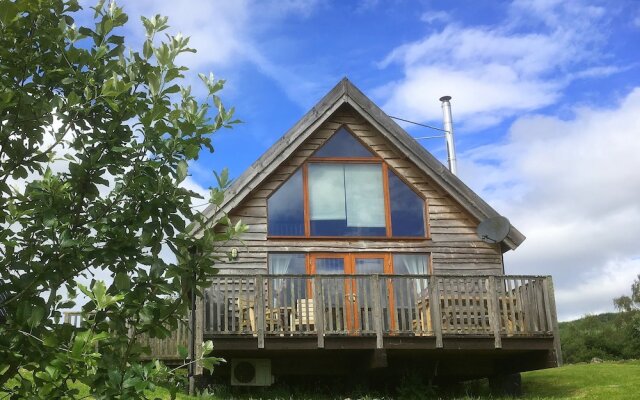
{"type": "Point", "coordinates": [227, 34]}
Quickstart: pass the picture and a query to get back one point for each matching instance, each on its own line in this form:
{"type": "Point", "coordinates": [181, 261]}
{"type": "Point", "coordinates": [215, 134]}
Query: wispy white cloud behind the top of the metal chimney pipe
{"type": "Point", "coordinates": [494, 72]}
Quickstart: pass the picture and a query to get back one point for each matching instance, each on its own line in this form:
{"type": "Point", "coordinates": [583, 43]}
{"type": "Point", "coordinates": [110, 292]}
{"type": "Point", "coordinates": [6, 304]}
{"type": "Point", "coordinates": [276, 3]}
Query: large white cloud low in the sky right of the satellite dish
{"type": "Point", "coordinates": [572, 187]}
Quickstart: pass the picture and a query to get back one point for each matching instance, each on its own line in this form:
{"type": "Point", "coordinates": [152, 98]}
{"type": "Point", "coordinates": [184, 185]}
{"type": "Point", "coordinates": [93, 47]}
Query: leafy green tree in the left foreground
{"type": "Point", "coordinates": [95, 140]}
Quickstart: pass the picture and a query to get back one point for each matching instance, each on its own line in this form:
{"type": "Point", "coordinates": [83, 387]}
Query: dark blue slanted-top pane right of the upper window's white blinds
{"type": "Point", "coordinates": [407, 209]}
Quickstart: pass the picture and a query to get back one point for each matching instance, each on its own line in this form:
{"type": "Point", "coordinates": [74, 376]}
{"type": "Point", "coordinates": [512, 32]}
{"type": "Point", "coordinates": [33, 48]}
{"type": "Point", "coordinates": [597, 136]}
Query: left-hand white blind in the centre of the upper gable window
{"type": "Point", "coordinates": [326, 192]}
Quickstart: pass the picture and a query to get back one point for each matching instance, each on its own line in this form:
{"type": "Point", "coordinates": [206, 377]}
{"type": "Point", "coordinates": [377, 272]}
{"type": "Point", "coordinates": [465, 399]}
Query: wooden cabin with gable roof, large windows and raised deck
{"type": "Point", "coordinates": [362, 254]}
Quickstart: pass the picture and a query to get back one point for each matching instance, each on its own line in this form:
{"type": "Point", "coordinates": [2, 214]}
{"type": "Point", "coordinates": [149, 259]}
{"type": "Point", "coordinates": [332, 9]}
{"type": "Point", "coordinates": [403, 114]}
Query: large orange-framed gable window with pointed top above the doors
{"type": "Point", "coordinates": [345, 190]}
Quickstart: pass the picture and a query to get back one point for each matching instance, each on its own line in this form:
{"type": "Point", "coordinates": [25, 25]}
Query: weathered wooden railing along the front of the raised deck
{"type": "Point", "coordinates": [379, 305]}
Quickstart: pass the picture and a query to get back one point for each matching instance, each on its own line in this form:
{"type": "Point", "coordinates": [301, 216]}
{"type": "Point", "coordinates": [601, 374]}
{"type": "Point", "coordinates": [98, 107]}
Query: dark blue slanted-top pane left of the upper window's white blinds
{"type": "Point", "coordinates": [286, 208]}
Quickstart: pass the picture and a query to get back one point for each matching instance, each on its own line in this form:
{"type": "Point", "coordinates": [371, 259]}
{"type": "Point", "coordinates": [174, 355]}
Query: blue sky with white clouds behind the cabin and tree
{"type": "Point", "coordinates": [546, 106]}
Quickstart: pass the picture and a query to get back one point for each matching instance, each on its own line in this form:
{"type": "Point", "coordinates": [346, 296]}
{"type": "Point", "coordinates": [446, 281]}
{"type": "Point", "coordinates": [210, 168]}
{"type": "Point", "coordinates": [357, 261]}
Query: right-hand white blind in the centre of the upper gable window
{"type": "Point", "coordinates": [364, 197]}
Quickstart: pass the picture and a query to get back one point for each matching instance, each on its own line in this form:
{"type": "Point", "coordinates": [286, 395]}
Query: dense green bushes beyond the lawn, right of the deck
{"type": "Point", "coordinates": [611, 336]}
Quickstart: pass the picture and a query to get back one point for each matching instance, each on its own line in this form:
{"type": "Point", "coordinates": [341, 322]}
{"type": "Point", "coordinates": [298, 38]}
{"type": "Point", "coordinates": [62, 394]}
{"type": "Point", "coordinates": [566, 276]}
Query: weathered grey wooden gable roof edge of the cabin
{"type": "Point", "coordinates": [346, 93]}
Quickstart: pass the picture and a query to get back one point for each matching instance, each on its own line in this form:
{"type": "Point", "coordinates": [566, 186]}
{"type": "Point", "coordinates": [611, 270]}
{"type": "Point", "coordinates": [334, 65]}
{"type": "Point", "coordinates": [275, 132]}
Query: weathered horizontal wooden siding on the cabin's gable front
{"type": "Point", "coordinates": [453, 244]}
